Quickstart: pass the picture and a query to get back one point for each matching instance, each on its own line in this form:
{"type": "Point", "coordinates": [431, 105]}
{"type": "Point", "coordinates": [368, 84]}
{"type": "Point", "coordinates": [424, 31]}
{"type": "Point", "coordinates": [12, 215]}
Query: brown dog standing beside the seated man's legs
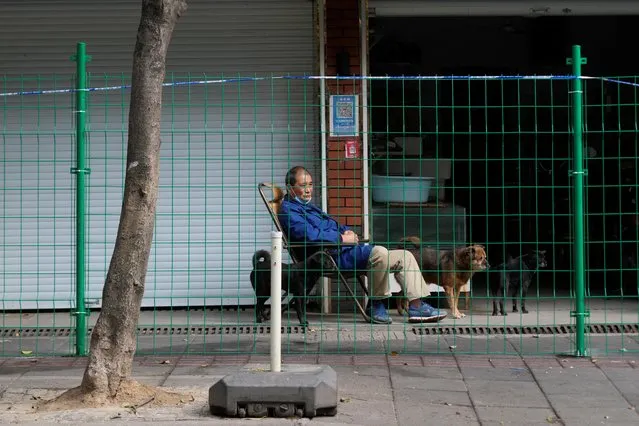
{"type": "Point", "coordinates": [450, 269]}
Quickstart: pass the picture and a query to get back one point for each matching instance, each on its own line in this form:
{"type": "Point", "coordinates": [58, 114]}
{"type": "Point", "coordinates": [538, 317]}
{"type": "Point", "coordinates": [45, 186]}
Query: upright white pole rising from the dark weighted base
{"type": "Point", "coordinates": [276, 301]}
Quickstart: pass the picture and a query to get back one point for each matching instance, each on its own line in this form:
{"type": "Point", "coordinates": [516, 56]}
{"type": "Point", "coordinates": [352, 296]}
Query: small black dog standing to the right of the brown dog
{"type": "Point", "coordinates": [516, 273]}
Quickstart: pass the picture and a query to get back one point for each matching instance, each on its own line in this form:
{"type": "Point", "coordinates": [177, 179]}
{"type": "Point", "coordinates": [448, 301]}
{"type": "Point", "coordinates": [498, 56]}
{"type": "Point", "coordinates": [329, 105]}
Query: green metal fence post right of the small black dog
{"type": "Point", "coordinates": [578, 173]}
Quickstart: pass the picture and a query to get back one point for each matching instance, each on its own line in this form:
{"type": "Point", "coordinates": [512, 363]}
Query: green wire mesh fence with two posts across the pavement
{"type": "Point", "coordinates": [504, 152]}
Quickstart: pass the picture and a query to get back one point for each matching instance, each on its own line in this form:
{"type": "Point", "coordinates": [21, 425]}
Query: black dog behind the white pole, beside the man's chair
{"type": "Point", "coordinates": [297, 278]}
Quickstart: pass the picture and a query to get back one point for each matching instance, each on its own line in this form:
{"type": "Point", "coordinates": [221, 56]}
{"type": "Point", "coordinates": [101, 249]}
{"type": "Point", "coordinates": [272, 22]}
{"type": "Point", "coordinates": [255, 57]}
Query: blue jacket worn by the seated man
{"type": "Point", "coordinates": [308, 223]}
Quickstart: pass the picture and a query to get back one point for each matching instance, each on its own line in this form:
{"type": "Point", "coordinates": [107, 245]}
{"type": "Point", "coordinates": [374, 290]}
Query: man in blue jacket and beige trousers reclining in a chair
{"type": "Point", "coordinates": [305, 222]}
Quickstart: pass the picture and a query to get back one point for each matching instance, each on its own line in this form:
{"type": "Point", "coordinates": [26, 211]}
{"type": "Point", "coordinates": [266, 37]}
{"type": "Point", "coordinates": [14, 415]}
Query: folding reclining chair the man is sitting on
{"type": "Point", "coordinates": [273, 206]}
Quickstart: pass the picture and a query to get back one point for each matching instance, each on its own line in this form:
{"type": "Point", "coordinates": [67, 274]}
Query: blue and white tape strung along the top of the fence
{"type": "Point", "coordinates": [350, 78]}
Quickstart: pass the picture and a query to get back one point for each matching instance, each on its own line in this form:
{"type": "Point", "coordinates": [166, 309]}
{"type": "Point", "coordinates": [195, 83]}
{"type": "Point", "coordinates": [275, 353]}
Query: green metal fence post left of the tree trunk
{"type": "Point", "coordinates": [80, 171]}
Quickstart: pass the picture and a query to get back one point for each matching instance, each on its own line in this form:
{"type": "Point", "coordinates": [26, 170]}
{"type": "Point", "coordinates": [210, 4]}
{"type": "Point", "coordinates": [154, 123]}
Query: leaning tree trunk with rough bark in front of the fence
{"type": "Point", "coordinates": [113, 341]}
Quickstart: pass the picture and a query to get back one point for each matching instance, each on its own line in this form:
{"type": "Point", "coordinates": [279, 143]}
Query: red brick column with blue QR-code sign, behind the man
{"type": "Point", "coordinates": [345, 193]}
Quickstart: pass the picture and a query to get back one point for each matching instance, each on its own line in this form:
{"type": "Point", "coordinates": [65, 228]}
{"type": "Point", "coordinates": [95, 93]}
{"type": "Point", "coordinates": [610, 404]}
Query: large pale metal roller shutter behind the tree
{"type": "Point", "coordinates": [218, 141]}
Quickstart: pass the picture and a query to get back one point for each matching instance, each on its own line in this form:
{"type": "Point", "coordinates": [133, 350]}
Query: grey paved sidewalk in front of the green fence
{"type": "Point", "coordinates": [373, 389]}
